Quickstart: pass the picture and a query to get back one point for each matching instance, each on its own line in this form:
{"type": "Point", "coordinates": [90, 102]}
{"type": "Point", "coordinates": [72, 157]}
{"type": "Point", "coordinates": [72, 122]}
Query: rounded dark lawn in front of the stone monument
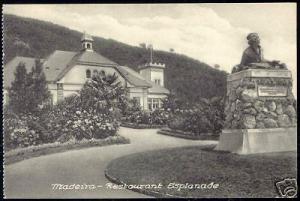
{"type": "Point", "coordinates": [237, 175]}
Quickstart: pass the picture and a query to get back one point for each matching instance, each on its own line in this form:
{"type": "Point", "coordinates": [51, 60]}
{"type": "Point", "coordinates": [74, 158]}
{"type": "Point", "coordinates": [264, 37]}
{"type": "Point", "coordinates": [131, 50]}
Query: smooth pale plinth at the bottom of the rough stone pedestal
{"type": "Point", "coordinates": [251, 141]}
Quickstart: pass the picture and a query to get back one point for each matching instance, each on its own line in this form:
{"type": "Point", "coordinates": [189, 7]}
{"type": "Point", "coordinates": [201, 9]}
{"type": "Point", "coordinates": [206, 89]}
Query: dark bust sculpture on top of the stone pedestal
{"type": "Point", "coordinates": [253, 57]}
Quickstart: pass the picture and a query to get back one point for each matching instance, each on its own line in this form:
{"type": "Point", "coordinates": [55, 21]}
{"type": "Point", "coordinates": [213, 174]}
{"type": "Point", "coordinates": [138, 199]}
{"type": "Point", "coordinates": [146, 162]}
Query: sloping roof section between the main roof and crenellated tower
{"type": "Point", "coordinates": [133, 77]}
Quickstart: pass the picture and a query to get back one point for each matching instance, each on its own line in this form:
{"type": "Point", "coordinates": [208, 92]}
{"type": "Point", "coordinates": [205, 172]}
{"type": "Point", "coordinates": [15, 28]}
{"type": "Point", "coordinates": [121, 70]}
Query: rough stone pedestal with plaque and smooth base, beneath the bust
{"type": "Point", "coordinates": [260, 109]}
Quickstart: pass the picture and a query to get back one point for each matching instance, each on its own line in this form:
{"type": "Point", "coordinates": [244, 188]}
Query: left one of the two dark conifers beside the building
{"type": "Point", "coordinates": [17, 93]}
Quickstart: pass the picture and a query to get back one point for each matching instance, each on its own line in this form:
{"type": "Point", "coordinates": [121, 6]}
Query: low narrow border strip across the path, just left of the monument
{"type": "Point", "coordinates": [188, 135]}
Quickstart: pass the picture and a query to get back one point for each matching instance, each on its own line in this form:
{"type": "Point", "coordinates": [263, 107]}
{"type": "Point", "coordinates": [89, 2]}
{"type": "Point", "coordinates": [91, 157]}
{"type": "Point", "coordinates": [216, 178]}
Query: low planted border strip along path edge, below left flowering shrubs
{"type": "Point", "coordinates": [19, 154]}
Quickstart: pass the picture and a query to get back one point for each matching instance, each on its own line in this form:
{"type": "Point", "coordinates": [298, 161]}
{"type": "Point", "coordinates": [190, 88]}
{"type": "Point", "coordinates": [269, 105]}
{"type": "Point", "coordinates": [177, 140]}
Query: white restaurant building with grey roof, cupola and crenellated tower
{"type": "Point", "coordinates": [66, 72]}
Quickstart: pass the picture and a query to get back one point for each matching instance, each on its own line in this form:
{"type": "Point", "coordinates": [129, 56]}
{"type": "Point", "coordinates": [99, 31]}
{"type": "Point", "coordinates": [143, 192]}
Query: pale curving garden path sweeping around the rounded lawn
{"type": "Point", "coordinates": [32, 178]}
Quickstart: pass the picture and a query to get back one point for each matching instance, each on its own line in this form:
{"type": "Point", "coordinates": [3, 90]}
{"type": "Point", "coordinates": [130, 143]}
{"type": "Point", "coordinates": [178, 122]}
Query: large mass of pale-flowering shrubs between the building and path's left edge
{"type": "Point", "coordinates": [93, 114]}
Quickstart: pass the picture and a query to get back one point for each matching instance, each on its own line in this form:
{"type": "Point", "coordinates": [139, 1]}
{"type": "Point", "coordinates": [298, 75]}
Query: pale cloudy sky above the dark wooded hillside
{"type": "Point", "coordinates": [211, 33]}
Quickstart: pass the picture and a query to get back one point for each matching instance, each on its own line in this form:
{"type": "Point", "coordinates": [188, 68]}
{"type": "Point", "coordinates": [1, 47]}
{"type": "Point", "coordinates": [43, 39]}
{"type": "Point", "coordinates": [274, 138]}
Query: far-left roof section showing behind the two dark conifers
{"type": "Point", "coordinates": [10, 68]}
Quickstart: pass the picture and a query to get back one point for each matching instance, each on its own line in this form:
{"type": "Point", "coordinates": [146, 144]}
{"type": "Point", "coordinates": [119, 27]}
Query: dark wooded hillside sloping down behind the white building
{"type": "Point", "coordinates": [188, 78]}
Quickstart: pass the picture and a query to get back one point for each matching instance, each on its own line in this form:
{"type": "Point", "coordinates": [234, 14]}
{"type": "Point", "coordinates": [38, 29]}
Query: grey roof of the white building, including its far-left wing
{"type": "Point", "coordinates": [60, 62]}
